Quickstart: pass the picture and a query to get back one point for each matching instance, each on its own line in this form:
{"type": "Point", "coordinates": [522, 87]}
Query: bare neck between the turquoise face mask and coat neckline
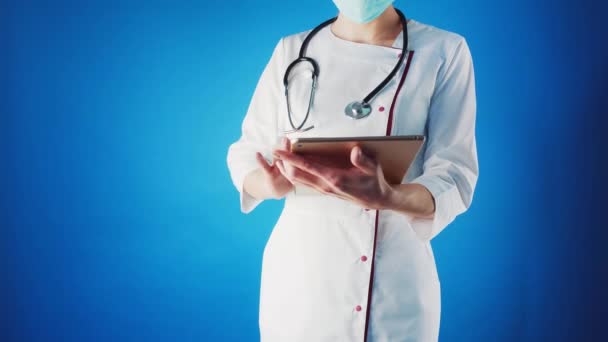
{"type": "Point", "coordinates": [380, 31]}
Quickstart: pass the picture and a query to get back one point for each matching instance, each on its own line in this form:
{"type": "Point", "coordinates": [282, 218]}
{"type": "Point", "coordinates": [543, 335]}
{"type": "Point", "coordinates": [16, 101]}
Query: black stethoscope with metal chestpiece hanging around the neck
{"type": "Point", "coordinates": [355, 109]}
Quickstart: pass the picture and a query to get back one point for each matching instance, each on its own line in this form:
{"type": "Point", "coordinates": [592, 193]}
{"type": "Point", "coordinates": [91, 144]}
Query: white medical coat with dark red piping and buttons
{"type": "Point", "coordinates": [331, 270]}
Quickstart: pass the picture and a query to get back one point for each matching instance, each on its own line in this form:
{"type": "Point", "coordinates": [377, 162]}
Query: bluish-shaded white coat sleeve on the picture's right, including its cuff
{"type": "Point", "coordinates": [450, 167]}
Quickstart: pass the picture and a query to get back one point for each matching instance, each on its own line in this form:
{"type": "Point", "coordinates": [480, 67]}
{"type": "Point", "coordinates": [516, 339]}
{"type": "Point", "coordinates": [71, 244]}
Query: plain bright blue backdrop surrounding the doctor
{"type": "Point", "coordinates": [119, 220]}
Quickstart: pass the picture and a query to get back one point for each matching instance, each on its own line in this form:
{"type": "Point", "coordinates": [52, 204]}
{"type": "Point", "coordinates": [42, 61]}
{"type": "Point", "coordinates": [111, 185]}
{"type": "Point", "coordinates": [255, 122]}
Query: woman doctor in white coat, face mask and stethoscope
{"type": "Point", "coordinates": [354, 262]}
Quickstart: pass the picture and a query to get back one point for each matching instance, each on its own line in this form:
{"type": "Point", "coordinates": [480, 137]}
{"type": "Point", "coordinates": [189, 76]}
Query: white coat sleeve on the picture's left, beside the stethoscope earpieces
{"type": "Point", "coordinates": [259, 132]}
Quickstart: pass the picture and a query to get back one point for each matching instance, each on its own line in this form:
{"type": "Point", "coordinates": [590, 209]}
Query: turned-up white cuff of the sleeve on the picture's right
{"type": "Point", "coordinates": [427, 228]}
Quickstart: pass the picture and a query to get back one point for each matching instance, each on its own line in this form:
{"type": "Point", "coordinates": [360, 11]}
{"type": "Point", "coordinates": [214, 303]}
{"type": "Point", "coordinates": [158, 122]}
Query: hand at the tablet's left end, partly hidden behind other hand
{"type": "Point", "coordinates": [275, 184]}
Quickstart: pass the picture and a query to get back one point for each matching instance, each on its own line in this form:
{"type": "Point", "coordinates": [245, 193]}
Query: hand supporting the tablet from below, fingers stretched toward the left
{"type": "Point", "coordinates": [362, 182]}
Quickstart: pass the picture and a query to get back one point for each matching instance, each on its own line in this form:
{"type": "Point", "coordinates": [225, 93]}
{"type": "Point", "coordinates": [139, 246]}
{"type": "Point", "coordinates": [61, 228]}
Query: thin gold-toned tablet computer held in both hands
{"type": "Point", "coordinates": [394, 153]}
